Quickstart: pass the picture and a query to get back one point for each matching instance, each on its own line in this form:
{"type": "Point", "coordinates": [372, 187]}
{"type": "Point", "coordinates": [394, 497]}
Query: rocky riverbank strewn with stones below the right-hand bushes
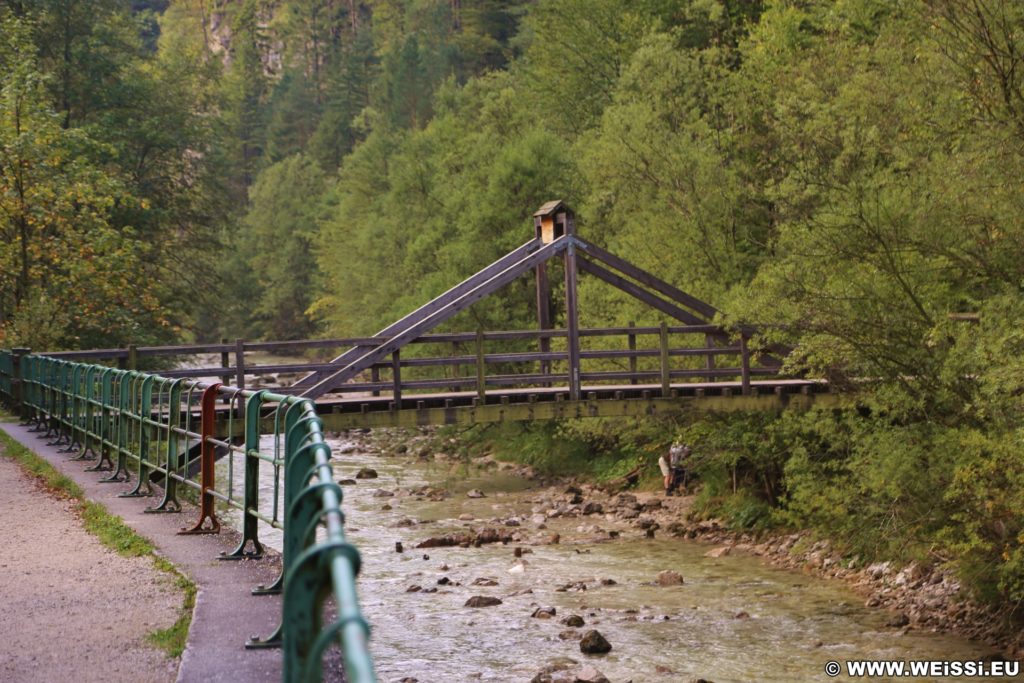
{"type": "Point", "coordinates": [917, 599]}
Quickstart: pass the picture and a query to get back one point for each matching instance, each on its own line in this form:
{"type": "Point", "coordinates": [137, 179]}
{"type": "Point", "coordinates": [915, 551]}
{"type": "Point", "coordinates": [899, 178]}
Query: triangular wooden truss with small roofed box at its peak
{"type": "Point", "coordinates": [556, 237]}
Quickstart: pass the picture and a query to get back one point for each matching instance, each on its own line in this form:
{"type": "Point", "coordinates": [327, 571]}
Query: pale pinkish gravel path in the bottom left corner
{"type": "Point", "coordinates": [70, 609]}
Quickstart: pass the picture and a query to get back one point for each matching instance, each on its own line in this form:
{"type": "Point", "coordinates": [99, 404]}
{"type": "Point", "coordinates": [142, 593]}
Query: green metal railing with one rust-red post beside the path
{"type": "Point", "coordinates": [174, 431]}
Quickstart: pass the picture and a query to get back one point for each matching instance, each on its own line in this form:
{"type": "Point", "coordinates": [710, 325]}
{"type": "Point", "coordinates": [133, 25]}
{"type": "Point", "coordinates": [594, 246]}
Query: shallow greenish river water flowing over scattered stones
{"type": "Point", "coordinates": [796, 623]}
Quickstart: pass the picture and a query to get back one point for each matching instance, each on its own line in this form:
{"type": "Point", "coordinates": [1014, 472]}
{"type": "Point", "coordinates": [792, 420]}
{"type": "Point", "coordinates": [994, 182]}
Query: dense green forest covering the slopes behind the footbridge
{"type": "Point", "coordinates": [844, 175]}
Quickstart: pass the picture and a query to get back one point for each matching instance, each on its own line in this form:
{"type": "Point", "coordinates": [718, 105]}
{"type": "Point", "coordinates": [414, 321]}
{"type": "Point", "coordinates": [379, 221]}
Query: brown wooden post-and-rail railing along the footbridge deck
{"type": "Point", "coordinates": [479, 362]}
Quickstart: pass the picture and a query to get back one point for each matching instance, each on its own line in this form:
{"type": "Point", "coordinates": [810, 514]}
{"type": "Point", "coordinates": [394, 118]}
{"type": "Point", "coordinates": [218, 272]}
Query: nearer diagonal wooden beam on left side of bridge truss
{"type": "Point", "coordinates": [443, 310]}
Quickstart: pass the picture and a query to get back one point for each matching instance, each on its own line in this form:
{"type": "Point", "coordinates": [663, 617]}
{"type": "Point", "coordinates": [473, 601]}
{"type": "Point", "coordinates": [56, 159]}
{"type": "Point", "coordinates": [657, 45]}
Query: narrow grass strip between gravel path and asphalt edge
{"type": "Point", "coordinates": [113, 533]}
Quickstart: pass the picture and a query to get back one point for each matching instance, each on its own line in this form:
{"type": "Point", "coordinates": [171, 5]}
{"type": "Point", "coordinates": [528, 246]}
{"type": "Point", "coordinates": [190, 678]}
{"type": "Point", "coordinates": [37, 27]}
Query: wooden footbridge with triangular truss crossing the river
{"type": "Point", "coordinates": [408, 376]}
